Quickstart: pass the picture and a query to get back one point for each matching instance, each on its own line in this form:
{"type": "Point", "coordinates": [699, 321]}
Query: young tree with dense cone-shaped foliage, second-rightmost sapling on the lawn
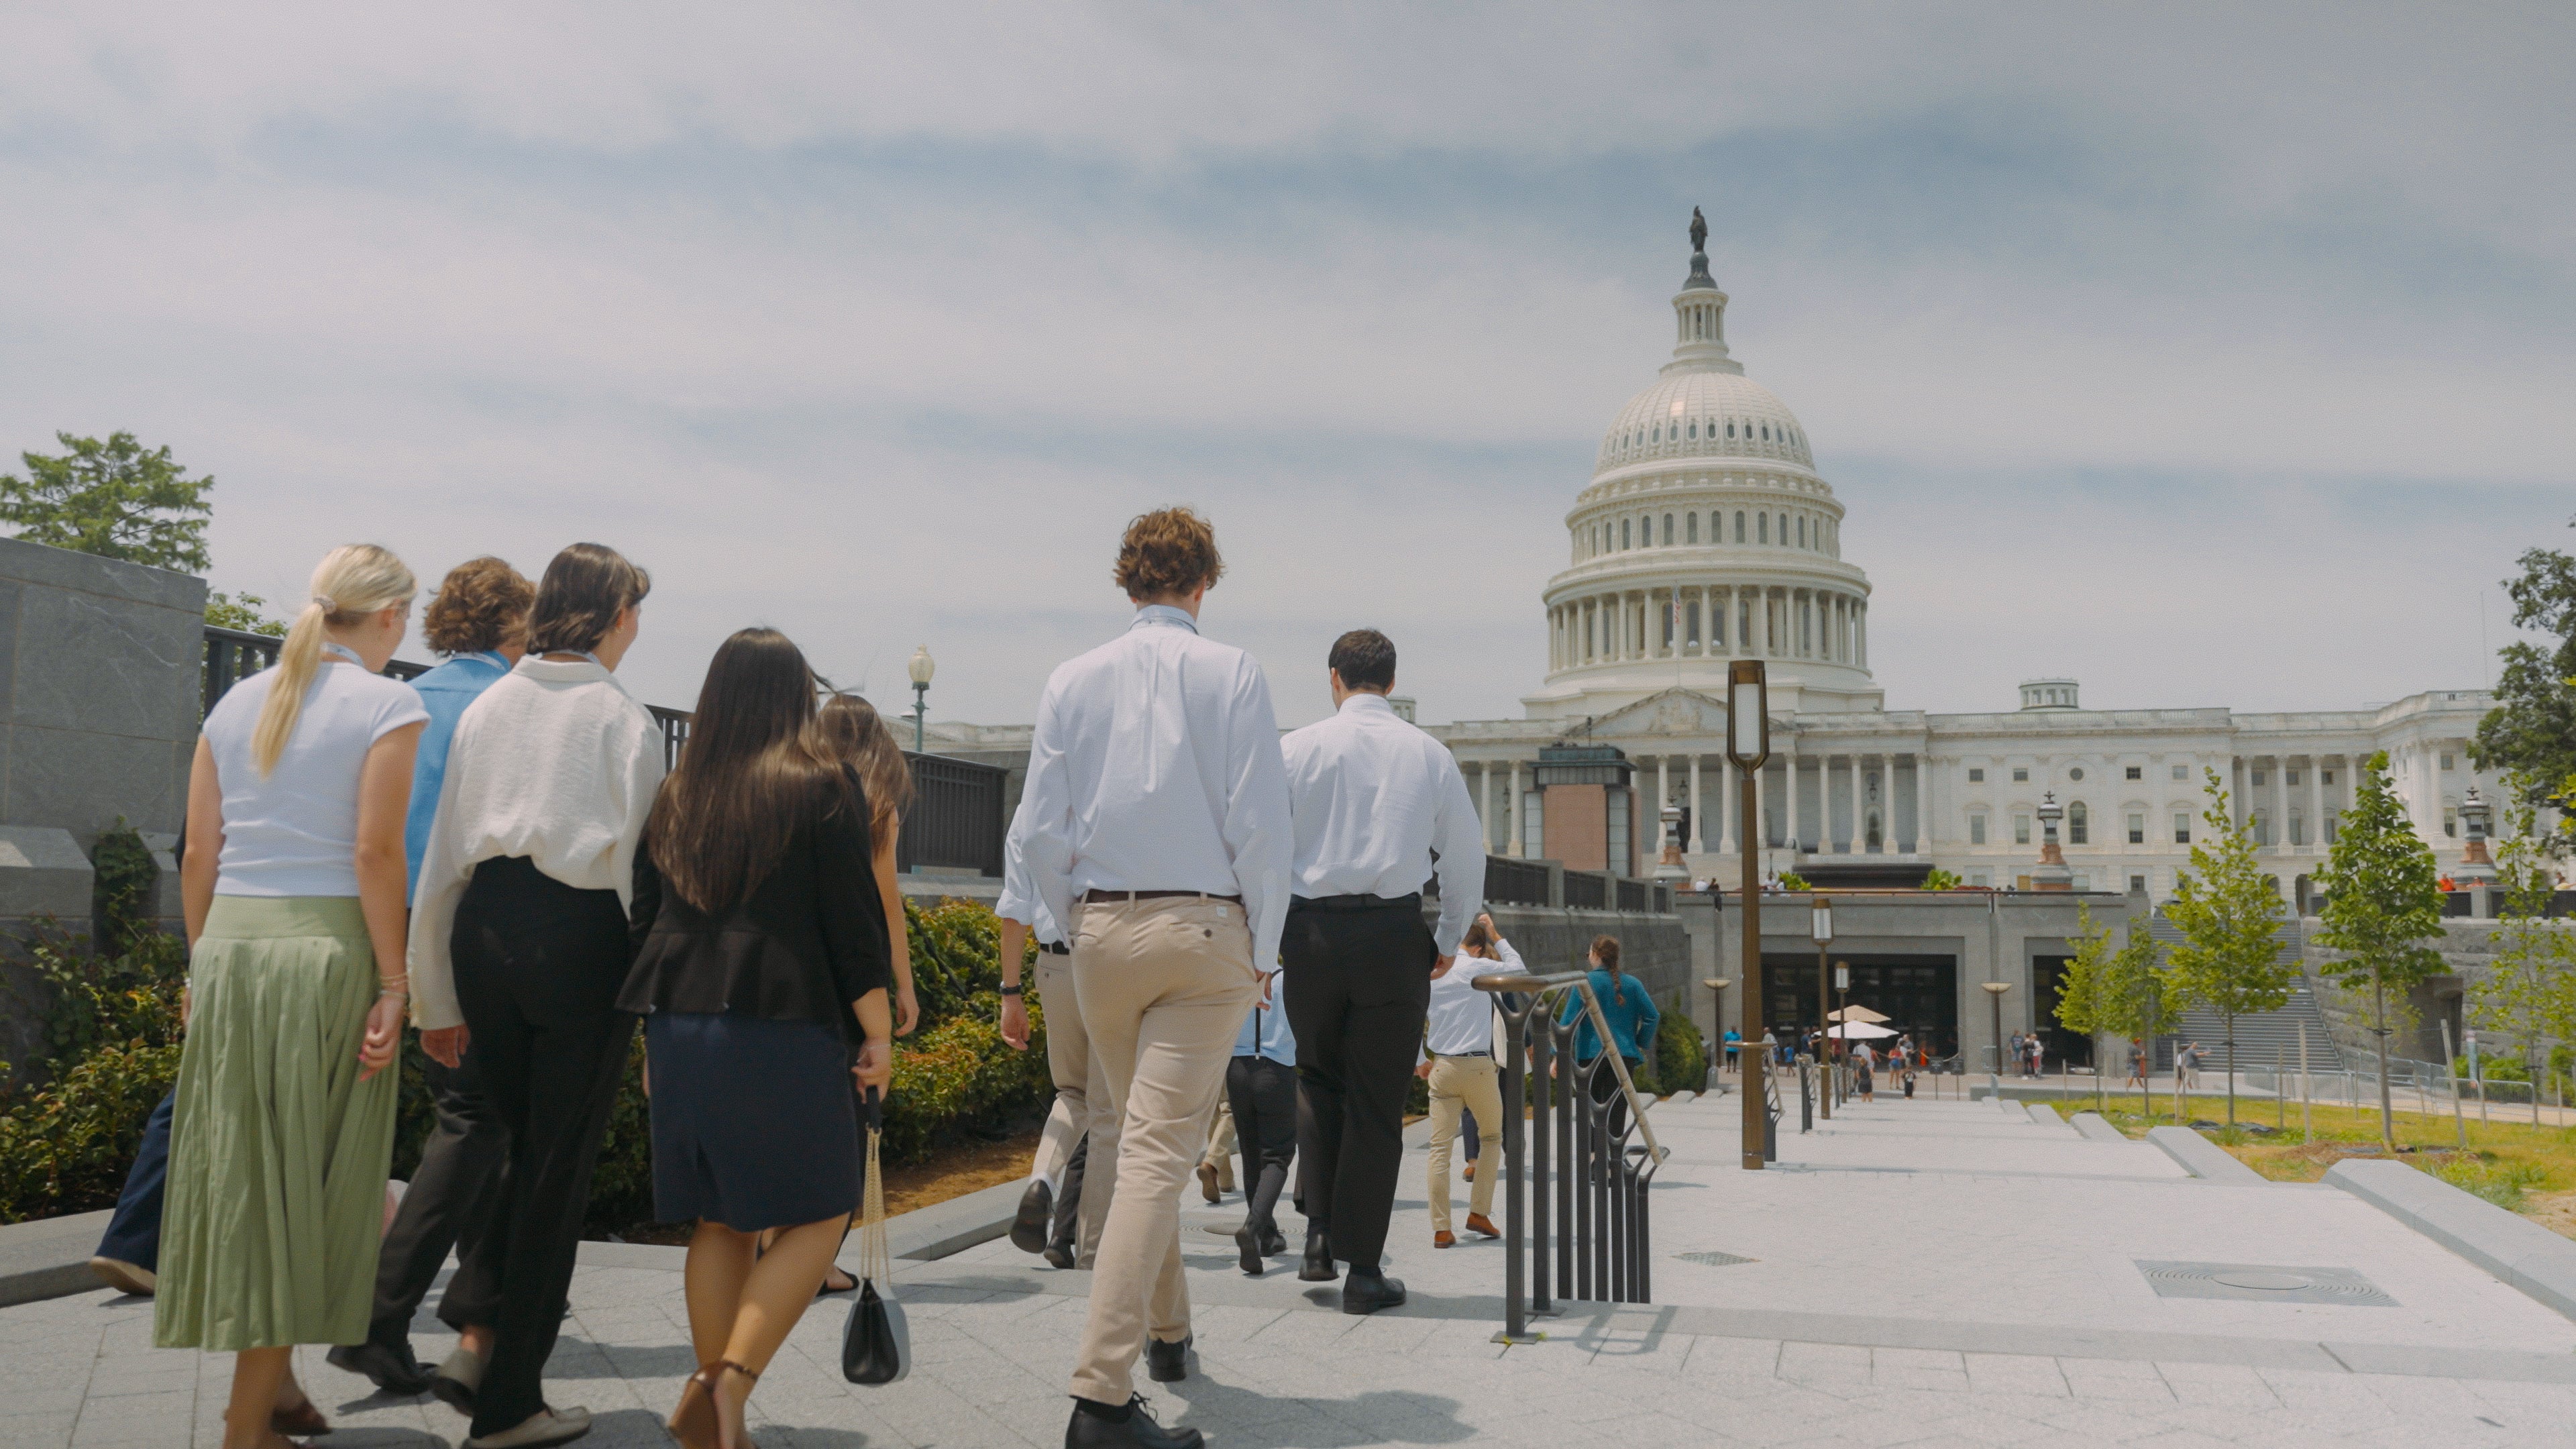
{"type": "Point", "coordinates": [2384, 901]}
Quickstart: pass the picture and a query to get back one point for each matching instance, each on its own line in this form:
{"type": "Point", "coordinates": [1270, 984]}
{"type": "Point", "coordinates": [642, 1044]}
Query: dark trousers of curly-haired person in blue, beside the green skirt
{"type": "Point", "coordinates": [450, 1203]}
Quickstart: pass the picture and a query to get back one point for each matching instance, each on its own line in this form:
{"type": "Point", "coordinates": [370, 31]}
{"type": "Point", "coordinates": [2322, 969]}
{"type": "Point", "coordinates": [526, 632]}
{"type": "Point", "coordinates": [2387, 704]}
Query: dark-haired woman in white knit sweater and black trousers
{"type": "Point", "coordinates": [519, 950]}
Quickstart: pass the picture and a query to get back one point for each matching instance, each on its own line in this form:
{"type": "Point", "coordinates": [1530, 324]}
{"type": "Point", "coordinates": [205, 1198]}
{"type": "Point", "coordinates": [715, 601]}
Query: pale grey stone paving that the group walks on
{"type": "Point", "coordinates": [1933, 1272]}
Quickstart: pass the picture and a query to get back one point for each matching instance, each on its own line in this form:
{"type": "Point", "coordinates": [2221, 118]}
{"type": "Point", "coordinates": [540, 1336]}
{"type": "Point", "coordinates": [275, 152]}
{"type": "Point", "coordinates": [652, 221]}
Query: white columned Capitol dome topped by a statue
{"type": "Point", "coordinates": [1707, 535]}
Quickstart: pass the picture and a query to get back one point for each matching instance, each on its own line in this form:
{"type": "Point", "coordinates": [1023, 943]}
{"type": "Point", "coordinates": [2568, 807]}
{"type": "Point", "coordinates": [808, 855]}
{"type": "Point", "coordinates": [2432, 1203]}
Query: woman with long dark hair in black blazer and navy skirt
{"type": "Point", "coordinates": [761, 958]}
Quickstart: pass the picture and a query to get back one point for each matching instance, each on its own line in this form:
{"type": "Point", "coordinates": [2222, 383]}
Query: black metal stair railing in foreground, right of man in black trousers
{"type": "Point", "coordinates": [1578, 1162]}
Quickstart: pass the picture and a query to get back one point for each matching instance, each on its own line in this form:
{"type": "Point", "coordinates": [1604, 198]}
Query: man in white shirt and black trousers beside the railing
{"type": "Point", "coordinates": [1374, 803]}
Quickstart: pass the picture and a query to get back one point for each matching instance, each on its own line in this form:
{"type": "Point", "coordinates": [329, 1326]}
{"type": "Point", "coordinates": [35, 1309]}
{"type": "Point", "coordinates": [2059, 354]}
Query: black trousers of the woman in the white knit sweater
{"type": "Point", "coordinates": [537, 973]}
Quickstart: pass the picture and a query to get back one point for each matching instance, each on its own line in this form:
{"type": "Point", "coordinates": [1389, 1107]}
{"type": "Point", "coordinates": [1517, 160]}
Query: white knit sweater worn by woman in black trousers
{"type": "Point", "coordinates": [558, 764]}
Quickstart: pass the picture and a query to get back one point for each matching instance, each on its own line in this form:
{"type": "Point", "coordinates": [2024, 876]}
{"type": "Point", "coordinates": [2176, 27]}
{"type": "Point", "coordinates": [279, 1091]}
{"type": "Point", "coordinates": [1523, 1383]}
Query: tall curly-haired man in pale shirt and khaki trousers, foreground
{"type": "Point", "coordinates": [1155, 826]}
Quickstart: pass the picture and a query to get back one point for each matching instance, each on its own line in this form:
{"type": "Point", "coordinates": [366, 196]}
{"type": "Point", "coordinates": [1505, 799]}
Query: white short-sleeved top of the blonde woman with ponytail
{"type": "Point", "coordinates": [298, 831]}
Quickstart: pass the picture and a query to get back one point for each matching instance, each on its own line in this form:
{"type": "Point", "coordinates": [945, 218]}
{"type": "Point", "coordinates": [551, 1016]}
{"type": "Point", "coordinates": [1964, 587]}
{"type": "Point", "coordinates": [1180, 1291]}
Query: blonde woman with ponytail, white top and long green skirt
{"type": "Point", "coordinates": [298, 986]}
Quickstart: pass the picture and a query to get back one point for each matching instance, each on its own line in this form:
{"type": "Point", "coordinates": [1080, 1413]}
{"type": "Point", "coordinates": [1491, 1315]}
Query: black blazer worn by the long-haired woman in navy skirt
{"type": "Point", "coordinates": [802, 948]}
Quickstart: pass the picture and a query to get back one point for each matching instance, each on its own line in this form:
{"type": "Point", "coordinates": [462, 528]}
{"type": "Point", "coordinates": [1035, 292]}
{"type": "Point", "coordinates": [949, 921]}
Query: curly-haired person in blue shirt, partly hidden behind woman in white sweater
{"type": "Point", "coordinates": [478, 620]}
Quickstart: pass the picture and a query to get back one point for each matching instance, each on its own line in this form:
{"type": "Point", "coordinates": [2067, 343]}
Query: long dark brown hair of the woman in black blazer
{"type": "Point", "coordinates": [751, 775]}
